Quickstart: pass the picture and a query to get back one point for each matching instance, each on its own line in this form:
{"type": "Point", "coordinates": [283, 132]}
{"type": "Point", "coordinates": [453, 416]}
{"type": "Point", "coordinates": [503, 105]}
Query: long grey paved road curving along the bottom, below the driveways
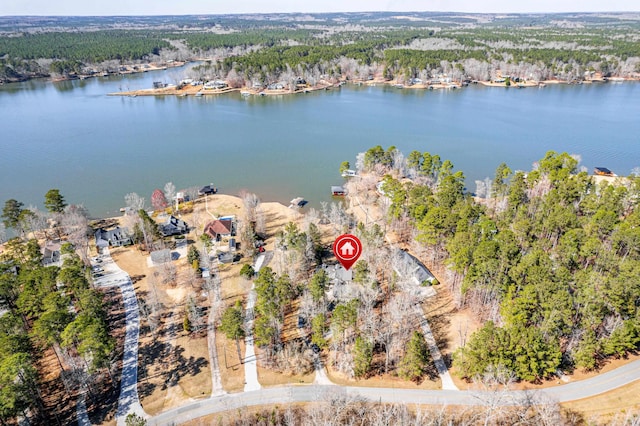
{"type": "Point", "coordinates": [288, 394]}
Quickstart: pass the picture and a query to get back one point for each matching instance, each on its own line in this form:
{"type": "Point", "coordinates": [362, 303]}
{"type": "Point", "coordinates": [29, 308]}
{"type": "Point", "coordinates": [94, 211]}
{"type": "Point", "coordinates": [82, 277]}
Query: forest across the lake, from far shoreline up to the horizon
{"type": "Point", "coordinates": [330, 46]}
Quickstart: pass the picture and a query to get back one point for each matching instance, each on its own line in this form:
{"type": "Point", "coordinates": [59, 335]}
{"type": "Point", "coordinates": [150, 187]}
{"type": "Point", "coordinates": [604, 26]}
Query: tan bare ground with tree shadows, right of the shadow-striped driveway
{"type": "Point", "coordinates": [173, 368]}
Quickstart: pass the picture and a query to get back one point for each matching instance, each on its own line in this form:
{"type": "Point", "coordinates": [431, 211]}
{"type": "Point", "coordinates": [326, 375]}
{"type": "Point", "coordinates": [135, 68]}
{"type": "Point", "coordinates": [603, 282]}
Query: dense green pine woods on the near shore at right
{"type": "Point", "coordinates": [549, 259]}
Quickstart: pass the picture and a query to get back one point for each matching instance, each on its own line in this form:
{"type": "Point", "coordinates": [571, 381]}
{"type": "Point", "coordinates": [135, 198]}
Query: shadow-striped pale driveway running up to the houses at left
{"type": "Point", "coordinates": [114, 276]}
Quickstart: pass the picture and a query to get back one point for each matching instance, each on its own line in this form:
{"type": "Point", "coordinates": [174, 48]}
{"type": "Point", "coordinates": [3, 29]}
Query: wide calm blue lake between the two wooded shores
{"type": "Point", "coordinates": [97, 148]}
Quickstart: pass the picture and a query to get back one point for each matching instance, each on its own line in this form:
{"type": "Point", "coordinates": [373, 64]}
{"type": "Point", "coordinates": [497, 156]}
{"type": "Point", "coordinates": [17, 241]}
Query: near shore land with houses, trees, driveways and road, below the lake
{"type": "Point", "coordinates": [202, 302]}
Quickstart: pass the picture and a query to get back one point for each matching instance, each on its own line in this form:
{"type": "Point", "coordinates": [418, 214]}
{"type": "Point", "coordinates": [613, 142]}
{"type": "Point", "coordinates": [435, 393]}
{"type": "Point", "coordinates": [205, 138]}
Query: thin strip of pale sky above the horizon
{"type": "Point", "coordinates": [188, 7]}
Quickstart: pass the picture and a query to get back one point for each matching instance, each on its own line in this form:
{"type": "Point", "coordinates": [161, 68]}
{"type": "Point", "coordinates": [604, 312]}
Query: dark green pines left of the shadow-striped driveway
{"type": "Point", "coordinates": [48, 307]}
